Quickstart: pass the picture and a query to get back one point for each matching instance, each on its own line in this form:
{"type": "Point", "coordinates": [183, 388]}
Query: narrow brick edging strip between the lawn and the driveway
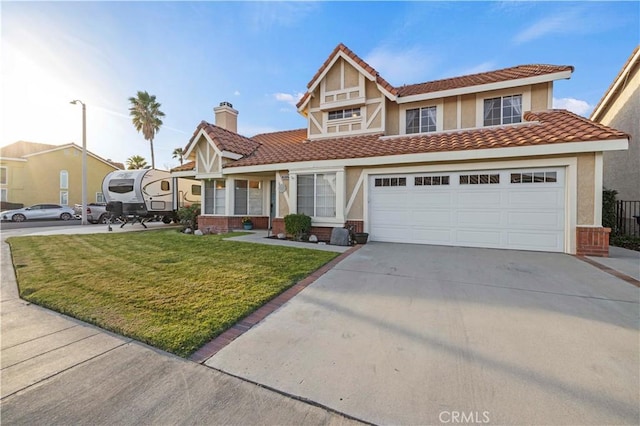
{"type": "Point", "coordinates": [245, 324]}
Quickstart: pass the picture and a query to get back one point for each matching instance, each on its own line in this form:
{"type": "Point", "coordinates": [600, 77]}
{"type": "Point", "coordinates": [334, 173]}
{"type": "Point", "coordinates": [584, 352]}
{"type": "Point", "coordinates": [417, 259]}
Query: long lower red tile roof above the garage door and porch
{"type": "Point", "coordinates": [540, 128]}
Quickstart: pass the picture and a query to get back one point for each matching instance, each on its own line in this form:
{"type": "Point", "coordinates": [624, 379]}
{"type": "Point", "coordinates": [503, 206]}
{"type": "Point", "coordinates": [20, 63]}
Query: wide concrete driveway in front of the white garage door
{"type": "Point", "coordinates": [406, 334]}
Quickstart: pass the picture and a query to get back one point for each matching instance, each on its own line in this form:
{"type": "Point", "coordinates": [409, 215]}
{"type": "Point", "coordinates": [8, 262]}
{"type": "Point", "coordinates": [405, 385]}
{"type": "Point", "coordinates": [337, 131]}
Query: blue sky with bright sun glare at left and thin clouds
{"type": "Point", "coordinates": [260, 56]}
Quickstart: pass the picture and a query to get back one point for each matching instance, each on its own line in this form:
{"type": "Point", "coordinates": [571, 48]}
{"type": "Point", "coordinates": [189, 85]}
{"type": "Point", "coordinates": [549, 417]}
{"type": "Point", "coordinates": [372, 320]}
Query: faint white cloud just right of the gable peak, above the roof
{"type": "Point", "coordinates": [402, 66]}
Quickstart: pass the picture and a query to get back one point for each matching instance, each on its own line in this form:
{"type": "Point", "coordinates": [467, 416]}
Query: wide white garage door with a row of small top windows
{"type": "Point", "coordinates": [510, 209]}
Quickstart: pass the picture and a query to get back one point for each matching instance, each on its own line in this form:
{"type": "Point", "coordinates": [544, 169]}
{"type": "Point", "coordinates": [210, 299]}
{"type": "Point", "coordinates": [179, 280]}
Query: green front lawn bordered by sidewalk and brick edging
{"type": "Point", "coordinates": [170, 290]}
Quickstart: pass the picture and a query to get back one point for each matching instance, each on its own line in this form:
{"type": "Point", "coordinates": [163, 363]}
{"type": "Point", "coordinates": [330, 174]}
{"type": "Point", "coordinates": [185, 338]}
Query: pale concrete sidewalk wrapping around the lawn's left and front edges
{"type": "Point", "coordinates": [56, 370]}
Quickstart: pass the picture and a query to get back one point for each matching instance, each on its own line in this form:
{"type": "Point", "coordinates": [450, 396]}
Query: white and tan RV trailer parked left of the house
{"type": "Point", "coordinates": [150, 192]}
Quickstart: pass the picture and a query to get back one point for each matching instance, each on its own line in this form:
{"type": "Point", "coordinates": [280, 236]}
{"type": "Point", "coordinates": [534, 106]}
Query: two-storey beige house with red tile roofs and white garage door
{"type": "Point", "coordinates": [479, 160]}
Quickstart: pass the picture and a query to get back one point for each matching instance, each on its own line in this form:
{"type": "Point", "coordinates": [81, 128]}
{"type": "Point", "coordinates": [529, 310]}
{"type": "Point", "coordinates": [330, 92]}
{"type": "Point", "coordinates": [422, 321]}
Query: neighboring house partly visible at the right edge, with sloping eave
{"type": "Point", "coordinates": [620, 108]}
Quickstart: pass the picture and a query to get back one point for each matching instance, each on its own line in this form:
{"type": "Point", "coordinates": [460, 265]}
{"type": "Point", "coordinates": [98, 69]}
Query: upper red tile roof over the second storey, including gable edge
{"type": "Point", "coordinates": [506, 74]}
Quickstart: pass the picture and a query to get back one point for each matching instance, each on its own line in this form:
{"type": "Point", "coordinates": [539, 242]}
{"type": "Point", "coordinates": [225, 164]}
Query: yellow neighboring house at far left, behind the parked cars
{"type": "Point", "coordinates": [33, 173]}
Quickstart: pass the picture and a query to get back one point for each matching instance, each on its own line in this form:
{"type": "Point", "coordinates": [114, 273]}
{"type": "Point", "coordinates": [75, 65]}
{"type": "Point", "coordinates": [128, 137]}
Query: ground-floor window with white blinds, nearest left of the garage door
{"type": "Point", "coordinates": [317, 194]}
